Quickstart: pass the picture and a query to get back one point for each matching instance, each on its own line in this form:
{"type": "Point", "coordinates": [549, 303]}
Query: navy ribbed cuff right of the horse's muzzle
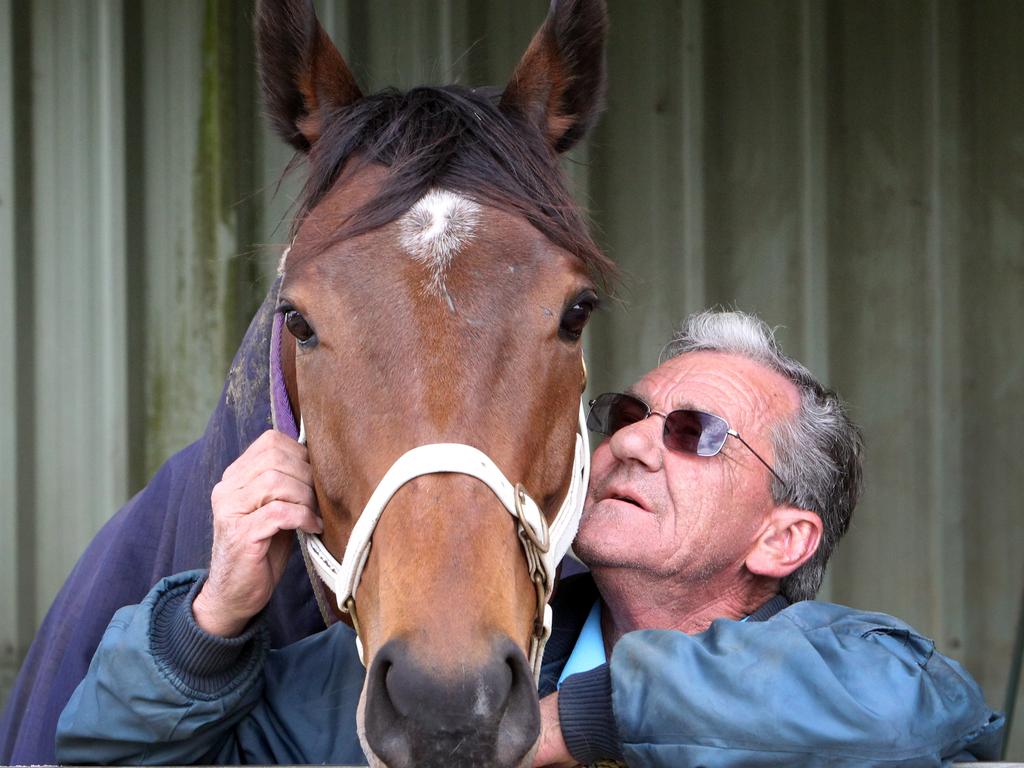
{"type": "Point", "coordinates": [586, 717]}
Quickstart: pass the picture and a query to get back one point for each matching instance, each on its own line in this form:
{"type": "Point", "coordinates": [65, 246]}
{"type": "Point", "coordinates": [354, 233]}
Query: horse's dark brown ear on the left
{"type": "Point", "coordinates": [303, 74]}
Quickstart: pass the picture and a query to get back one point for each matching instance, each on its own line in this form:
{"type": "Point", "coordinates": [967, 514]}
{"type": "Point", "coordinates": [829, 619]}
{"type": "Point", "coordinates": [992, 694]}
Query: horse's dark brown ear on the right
{"type": "Point", "coordinates": [561, 82]}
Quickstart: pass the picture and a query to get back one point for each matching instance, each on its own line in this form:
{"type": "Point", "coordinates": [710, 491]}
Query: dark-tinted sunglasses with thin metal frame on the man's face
{"type": "Point", "coordinates": [687, 431]}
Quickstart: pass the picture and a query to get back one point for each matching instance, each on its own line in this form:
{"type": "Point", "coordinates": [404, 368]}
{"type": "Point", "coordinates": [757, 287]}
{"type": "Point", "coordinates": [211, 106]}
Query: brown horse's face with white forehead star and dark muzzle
{"type": "Point", "coordinates": [456, 324]}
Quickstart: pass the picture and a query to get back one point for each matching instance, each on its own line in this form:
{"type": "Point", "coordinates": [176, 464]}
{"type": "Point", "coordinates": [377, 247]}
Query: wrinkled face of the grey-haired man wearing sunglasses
{"type": "Point", "coordinates": [667, 513]}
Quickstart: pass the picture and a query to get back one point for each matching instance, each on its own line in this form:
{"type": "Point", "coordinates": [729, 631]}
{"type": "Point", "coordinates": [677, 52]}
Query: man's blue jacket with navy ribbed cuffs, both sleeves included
{"type": "Point", "coordinates": [816, 684]}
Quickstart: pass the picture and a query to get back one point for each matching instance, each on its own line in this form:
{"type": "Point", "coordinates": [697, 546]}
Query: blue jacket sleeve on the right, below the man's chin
{"type": "Point", "coordinates": [817, 685]}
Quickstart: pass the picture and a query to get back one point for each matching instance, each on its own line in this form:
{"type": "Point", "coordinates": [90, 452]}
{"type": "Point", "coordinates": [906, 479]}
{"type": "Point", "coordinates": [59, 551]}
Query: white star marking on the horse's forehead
{"type": "Point", "coordinates": [437, 229]}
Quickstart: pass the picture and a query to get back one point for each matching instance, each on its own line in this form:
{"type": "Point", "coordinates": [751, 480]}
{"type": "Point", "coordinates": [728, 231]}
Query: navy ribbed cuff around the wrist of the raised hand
{"type": "Point", "coordinates": [201, 663]}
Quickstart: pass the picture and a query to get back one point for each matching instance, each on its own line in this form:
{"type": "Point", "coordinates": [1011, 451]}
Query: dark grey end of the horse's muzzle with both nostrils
{"type": "Point", "coordinates": [485, 715]}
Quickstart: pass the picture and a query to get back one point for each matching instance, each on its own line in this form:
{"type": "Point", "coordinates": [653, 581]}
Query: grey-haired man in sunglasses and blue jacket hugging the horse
{"type": "Point", "coordinates": [729, 477]}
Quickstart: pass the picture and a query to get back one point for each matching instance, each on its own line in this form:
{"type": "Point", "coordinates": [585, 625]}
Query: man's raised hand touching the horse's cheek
{"type": "Point", "coordinates": [264, 496]}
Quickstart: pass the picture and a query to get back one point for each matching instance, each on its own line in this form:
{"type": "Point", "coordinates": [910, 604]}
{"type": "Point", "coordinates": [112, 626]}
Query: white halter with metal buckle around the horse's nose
{"type": "Point", "coordinates": [544, 545]}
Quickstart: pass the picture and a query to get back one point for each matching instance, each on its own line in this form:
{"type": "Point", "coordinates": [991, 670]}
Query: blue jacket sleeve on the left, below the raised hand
{"type": "Point", "coordinates": [160, 691]}
